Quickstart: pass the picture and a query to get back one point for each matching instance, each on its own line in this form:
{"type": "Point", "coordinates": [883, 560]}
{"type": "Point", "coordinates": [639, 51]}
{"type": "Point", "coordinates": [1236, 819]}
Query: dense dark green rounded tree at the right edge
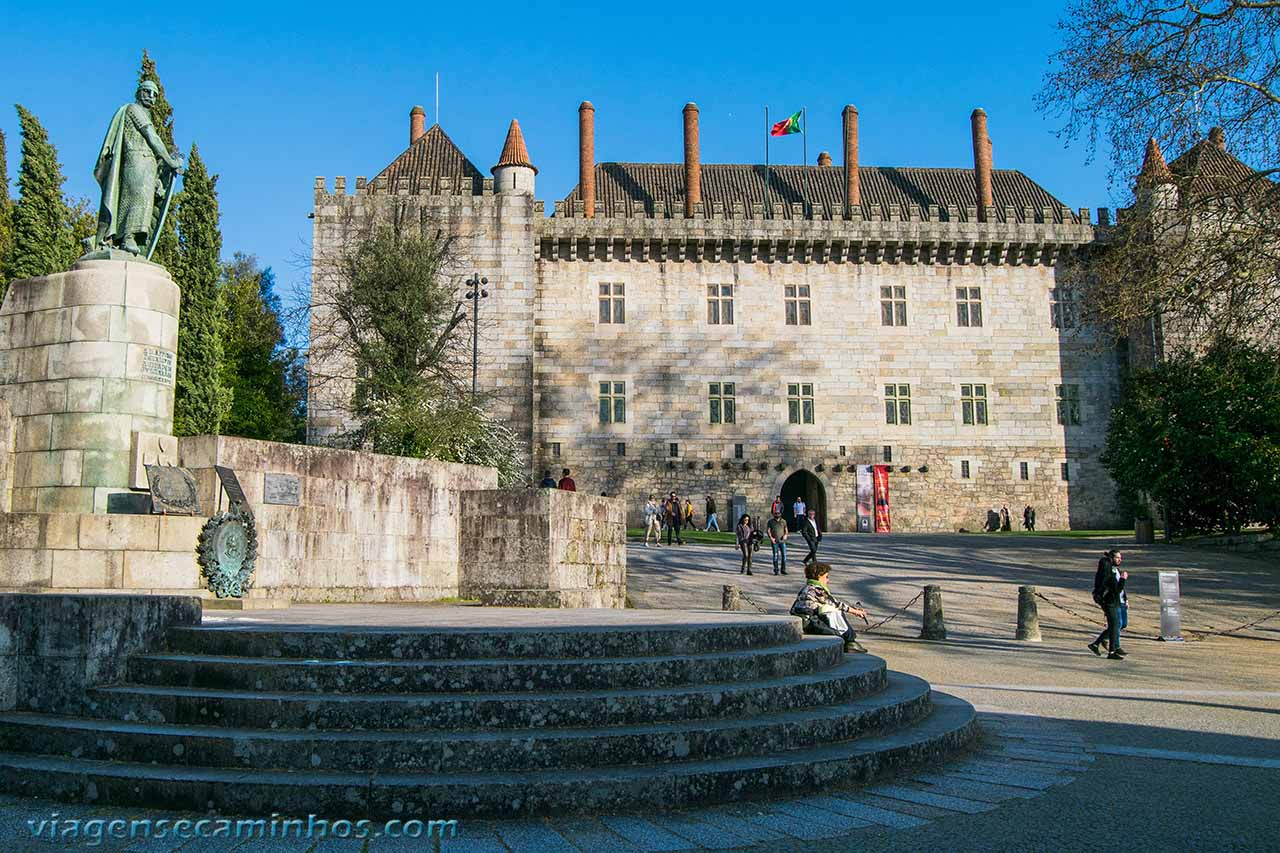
{"type": "Point", "coordinates": [1201, 436]}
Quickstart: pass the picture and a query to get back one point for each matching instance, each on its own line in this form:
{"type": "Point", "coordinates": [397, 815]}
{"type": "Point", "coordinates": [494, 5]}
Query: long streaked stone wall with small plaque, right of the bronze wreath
{"type": "Point", "coordinates": [365, 528]}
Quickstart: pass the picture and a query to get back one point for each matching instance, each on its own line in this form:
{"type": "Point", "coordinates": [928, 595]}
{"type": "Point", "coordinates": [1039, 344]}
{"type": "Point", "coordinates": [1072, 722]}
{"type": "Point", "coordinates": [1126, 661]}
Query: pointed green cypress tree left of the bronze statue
{"type": "Point", "coordinates": [44, 241]}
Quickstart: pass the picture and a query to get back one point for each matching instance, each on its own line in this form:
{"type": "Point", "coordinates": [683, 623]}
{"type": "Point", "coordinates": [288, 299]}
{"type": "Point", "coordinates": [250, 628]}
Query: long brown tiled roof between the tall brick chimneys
{"type": "Point", "coordinates": [729, 184]}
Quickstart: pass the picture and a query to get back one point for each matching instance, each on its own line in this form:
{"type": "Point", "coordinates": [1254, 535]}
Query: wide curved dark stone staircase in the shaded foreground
{"type": "Point", "coordinates": [483, 723]}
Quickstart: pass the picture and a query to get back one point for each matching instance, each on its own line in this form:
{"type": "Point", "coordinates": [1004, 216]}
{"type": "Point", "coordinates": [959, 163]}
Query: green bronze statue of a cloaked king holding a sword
{"type": "Point", "coordinates": [138, 176]}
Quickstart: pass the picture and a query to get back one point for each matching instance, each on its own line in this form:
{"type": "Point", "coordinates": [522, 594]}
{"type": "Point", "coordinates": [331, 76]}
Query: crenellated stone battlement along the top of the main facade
{"type": "Point", "coordinates": [915, 235]}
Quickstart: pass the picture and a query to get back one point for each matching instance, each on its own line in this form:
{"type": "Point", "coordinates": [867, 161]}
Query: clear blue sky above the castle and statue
{"type": "Point", "coordinates": [277, 94]}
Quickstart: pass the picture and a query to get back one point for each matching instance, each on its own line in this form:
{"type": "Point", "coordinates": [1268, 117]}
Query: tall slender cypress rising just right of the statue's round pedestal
{"type": "Point", "coordinates": [202, 398]}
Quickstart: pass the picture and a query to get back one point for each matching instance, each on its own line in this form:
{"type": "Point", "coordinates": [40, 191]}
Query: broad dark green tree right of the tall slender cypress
{"type": "Point", "coordinates": [264, 375]}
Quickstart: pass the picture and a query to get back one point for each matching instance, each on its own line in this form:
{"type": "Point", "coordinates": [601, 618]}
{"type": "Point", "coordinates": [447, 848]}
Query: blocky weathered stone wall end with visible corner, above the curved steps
{"type": "Point", "coordinates": [543, 549]}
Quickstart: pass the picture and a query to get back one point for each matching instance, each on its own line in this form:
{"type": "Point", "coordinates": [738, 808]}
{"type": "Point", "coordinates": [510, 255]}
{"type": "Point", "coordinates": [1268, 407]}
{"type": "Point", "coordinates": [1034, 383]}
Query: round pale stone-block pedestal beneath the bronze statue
{"type": "Point", "coordinates": [88, 359]}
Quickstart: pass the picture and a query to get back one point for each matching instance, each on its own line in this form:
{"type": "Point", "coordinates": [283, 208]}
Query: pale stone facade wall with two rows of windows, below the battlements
{"type": "Point", "coordinates": [666, 353]}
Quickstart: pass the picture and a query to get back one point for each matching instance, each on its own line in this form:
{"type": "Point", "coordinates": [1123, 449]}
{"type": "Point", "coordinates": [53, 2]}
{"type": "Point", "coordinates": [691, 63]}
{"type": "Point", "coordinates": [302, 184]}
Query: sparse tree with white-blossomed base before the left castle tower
{"type": "Point", "coordinates": [390, 308]}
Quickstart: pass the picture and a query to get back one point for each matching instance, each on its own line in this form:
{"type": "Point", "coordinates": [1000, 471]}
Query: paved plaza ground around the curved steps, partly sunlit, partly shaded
{"type": "Point", "coordinates": [1177, 747]}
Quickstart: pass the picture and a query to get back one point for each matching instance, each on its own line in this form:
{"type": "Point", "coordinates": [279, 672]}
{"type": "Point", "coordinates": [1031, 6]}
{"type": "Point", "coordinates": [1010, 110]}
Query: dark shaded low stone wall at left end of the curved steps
{"type": "Point", "coordinates": [53, 649]}
